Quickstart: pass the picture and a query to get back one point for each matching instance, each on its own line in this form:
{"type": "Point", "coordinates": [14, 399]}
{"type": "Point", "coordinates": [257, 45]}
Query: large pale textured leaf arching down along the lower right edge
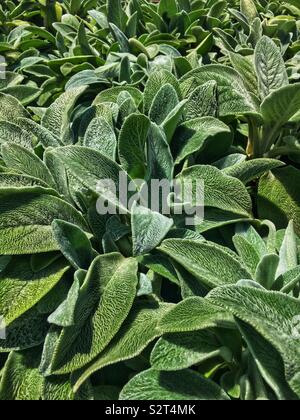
{"type": "Point", "coordinates": [273, 315]}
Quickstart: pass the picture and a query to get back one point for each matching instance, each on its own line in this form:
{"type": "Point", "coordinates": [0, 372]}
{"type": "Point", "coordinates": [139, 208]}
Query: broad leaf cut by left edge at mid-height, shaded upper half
{"type": "Point", "coordinates": [26, 217]}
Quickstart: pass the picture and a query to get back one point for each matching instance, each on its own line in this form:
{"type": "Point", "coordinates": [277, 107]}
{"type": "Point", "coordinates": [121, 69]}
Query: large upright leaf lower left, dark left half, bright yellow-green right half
{"type": "Point", "coordinates": [104, 302]}
